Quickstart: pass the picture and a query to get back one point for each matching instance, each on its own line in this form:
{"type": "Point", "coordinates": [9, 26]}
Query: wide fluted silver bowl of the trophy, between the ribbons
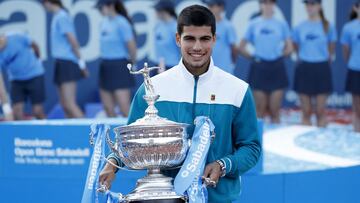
{"type": "Point", "coordinates": [144, 146]}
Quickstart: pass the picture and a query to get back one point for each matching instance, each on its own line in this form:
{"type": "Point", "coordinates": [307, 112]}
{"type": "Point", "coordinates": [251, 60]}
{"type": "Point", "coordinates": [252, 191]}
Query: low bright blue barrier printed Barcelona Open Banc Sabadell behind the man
{"type": "Point", "coordinates": [47, 161]}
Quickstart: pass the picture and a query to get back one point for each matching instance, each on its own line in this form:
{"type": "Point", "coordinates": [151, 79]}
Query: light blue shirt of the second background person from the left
{"type": "Point", "coordinates": [62, 24]}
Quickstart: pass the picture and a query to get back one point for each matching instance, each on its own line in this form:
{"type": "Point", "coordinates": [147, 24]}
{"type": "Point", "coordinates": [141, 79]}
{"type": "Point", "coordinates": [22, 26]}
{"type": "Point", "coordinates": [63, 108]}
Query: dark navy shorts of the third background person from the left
{"type": "Point", "coordinates": [114, 75]}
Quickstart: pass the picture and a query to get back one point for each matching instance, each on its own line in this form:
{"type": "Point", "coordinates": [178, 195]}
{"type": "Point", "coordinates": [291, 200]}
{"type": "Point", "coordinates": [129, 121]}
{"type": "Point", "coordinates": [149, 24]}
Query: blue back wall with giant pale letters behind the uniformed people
{"type": "Point", "coordinates": [31, 17]}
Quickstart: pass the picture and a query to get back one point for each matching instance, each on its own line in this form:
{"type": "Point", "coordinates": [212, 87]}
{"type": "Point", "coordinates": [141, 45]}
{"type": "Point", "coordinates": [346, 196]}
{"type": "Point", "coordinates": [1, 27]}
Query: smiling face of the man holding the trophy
{"type": "Point", "coordinates": [196, 43]}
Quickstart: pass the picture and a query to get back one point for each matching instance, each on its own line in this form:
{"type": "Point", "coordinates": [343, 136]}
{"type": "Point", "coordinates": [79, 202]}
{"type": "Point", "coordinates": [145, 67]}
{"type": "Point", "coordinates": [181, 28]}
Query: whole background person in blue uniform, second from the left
{"type": "Point", "coordinates": [69, 66]}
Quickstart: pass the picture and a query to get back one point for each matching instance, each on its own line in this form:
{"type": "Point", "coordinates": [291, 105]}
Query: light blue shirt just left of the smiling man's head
{"type": "Point", "coordinates": [165, 43]}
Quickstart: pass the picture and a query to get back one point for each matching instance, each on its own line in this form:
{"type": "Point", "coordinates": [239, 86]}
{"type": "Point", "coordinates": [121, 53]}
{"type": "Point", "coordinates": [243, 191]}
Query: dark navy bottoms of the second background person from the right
{"type": "Point", "coordinates": [313, 78]}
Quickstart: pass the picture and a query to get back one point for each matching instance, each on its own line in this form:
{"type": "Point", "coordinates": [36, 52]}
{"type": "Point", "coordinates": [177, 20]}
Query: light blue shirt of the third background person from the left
{"type": "Point", "coordinates": [115, 33]}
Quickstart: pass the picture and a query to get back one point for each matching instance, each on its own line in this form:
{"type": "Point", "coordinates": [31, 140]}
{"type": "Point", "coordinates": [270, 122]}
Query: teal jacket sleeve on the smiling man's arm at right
{"type": "Point", "coordinates": [246, 139]}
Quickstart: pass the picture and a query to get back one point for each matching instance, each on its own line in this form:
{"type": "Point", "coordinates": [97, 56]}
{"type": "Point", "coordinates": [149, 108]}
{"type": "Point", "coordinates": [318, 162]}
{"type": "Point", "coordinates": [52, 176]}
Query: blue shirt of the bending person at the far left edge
{"type": "Point", "coordinates": [19, 59]}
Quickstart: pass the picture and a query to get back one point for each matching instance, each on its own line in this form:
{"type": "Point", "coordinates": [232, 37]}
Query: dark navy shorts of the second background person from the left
{"type": "Point", "coordinates": [66, 71]}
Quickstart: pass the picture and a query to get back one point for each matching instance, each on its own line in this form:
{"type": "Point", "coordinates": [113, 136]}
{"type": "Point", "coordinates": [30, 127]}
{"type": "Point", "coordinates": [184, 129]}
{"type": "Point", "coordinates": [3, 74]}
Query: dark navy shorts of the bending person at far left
{"type": "Point", "coordinates": [32, 89]}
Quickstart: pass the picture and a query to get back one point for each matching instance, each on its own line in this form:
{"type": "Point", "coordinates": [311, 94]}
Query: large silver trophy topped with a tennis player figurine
{"type": "Point", "coordinates": [152, 143]}
